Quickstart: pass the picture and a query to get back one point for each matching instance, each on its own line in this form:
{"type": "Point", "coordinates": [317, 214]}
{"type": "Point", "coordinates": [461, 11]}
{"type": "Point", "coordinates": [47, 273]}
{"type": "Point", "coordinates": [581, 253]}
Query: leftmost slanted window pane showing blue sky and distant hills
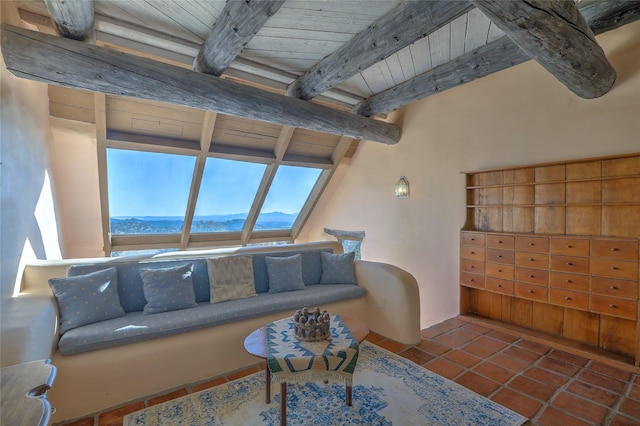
{"type": "Point", "coordinates": [148, 191]}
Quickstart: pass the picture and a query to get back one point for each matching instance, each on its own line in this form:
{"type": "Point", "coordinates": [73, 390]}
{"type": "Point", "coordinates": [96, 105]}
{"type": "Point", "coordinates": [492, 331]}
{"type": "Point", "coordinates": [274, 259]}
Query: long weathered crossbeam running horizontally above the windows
{"type": "Point", "coordinates": [68, 63]}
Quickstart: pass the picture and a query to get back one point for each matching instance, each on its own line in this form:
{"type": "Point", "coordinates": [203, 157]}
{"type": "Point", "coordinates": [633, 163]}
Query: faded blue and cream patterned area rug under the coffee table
{"type": "Point", "coordinates": [387, 390]}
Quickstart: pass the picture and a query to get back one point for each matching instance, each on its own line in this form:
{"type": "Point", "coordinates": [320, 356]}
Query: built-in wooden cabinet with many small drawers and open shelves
{"type": "Point", "coordinates": [555, 247]}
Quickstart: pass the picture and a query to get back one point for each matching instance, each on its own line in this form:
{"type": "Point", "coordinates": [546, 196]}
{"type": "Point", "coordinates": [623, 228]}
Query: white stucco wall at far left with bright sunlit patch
{"type": "Point", "coordinates": [28, 224]}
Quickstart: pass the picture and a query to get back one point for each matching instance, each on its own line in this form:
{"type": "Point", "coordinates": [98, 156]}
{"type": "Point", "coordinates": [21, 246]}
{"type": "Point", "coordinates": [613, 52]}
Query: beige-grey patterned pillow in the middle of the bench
{"type": "Point", "coordinates": [230, 278]}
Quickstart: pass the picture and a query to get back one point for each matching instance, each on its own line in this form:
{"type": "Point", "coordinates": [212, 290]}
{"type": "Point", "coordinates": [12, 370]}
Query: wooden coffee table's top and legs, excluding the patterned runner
{"type": "Point", "coordinates": [256, 345]}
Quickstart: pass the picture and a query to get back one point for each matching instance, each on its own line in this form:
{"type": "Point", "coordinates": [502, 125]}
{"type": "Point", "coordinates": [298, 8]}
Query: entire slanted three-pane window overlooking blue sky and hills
{"type": "Point", "coordinates": [150, 200]}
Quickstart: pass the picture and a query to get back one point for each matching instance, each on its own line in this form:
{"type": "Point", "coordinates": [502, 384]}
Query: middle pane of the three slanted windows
{"type": "Point", "coordinates": [227, 192]}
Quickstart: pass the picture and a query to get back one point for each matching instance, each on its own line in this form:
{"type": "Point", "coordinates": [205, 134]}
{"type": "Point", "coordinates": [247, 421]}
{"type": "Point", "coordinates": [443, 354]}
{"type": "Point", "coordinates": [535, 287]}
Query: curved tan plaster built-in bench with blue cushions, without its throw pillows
{"type": "Point", "coordinates": [136, 355]}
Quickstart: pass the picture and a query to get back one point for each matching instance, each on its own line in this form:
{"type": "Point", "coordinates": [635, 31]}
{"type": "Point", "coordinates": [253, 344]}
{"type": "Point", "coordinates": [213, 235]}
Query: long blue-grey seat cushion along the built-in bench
{"type": "Point", "coordinates": [136, 327]}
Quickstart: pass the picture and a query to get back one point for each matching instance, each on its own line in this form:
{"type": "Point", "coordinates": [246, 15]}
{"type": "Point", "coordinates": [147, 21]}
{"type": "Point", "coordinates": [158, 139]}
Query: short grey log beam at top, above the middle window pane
{"type": "Point", "coordinates": [236, 25]}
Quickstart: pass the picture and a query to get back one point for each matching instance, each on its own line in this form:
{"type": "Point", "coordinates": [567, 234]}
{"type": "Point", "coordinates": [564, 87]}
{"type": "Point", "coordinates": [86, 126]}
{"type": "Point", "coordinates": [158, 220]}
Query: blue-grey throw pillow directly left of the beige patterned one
{"type": "Point", "coordinates": [168, 289]}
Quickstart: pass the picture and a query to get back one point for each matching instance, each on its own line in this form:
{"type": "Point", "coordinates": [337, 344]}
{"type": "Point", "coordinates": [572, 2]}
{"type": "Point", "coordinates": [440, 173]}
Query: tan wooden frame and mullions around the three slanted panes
{"type": "Point", "coordinates": [187, 240]}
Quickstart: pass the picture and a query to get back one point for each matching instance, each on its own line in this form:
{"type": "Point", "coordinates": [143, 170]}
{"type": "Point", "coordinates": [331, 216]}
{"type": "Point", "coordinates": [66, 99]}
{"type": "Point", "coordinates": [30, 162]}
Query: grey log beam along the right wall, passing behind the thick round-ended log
{"type": "Point", "coordinates": [492, 57]}
